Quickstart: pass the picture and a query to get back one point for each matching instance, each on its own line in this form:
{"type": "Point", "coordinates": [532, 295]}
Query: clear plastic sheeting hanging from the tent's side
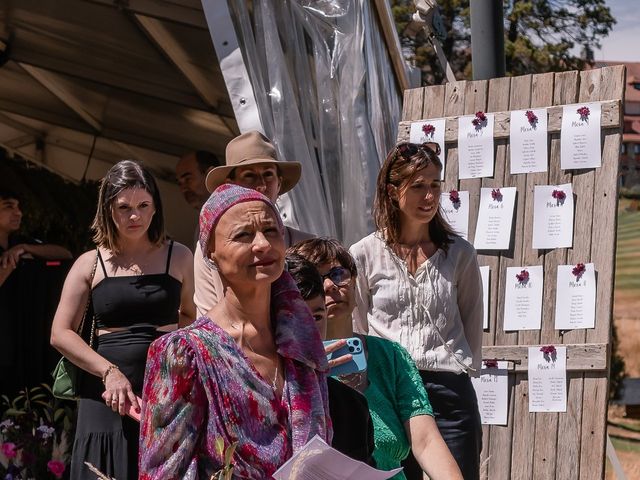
{"type": "Point", "coordinates": [328, 97]}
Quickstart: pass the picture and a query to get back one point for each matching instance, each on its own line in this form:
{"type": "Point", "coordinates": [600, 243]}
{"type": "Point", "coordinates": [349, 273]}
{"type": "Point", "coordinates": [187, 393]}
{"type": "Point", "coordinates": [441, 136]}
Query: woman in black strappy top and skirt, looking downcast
{"type": "Point", "coordinates": [138, 285]}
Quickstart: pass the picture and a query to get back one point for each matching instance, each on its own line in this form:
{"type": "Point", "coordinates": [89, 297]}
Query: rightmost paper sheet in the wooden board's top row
{"type": "Point", "coordinates": [580, 145]}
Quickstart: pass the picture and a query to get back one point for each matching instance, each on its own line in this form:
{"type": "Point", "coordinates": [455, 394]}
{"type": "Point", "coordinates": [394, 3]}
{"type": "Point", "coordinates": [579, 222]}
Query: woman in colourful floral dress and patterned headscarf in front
{"type": "Point", "coordinates": [251, 372]}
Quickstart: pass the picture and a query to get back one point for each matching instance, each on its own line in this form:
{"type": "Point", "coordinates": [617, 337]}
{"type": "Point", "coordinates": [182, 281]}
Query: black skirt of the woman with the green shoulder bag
{"type": "Point", "coordinates": [104, 438]}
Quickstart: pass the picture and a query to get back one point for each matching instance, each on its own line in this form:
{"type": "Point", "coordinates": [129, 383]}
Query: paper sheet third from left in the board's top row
{"type": "Point", "coordinates": [528, 141]}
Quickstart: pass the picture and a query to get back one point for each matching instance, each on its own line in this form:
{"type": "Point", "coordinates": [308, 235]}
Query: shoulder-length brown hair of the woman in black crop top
{"type": "Point", "coordinates": [123, 175]}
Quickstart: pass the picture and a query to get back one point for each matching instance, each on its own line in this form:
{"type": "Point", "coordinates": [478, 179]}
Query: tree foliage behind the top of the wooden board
{"type": "Point", "coordinates": [540, 35]}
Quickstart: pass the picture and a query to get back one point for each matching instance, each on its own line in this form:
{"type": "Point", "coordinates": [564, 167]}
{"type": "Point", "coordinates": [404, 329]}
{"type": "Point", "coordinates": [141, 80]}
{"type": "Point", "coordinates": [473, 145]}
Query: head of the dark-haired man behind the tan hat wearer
{"type": "Point", "coordinates": [191, 173]}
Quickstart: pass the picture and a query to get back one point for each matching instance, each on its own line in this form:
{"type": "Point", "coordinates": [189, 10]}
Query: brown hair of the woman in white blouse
{"type": "Point", "coordinates": [398, 169]}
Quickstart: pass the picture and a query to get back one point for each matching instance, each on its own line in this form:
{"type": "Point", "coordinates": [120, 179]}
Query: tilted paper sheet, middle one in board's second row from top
{"type": "Point", "coordinates": [495, 218]}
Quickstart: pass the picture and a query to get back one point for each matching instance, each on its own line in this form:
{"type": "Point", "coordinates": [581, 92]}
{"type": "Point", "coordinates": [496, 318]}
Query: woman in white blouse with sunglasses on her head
{"type": "Point", "coordinates": [420, 285]}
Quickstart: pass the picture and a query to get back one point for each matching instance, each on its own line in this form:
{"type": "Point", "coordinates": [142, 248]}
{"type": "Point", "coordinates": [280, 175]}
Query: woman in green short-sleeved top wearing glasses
{"type": "Point", "coordinates": [399, 406]}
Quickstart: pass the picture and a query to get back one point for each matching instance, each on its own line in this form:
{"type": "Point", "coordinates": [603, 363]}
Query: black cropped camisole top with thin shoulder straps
{"type": "Point", "coordinates": [152, 299]}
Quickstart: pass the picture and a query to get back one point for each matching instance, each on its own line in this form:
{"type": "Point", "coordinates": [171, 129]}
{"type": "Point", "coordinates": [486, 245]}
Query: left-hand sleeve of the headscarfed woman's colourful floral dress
{"type": "Point", "coordinates": [173, 411]}
